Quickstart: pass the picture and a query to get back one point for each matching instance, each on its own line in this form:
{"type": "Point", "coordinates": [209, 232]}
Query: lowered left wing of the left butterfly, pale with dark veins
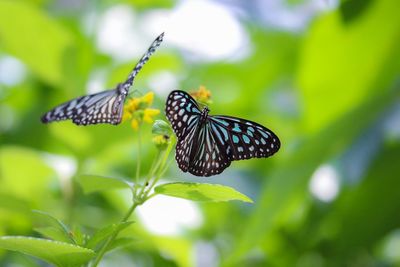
{"type": "Point", "coordinates": [103, 107]}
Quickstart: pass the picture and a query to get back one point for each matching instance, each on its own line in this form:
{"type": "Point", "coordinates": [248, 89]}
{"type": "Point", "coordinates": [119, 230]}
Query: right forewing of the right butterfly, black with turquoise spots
{"type": "Point", "coordinates": [244, 139]}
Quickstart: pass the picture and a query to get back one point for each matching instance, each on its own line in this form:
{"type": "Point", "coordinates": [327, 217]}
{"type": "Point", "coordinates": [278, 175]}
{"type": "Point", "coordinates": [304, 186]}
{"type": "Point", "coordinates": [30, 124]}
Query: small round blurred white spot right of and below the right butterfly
{"type": "Point", "coordinates": [324, 183]}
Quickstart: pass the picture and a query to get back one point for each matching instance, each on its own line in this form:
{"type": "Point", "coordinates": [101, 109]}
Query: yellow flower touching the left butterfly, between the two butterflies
{"type": "Point", "coordinates": [138, 110]}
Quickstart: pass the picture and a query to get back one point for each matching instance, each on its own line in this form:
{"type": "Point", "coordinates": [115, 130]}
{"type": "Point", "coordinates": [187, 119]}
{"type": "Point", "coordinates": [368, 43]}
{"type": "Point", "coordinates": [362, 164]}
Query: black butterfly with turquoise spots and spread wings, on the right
{"type": "Point", "coordinates": [207, 144]}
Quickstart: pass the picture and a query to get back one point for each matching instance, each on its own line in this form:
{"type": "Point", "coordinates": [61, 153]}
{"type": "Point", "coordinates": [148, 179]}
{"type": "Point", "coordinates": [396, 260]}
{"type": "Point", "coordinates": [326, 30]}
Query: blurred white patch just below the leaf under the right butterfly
{"type": "Point", "coordinates": [164, 215]}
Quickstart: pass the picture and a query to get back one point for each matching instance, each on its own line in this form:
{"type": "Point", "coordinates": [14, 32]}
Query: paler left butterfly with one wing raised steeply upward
{"type": "Point", "coordinates": [102, 107]}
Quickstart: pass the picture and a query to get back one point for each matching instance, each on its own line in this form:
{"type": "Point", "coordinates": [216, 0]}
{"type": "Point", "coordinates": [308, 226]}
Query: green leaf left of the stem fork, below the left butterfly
{"type": "Point", "coordinates": [93, 183]}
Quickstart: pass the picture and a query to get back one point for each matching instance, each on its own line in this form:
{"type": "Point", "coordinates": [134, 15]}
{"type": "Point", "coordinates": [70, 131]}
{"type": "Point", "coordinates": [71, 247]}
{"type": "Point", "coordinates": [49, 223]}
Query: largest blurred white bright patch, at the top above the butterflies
{"type": "Point", "coordinates": [203, 28]}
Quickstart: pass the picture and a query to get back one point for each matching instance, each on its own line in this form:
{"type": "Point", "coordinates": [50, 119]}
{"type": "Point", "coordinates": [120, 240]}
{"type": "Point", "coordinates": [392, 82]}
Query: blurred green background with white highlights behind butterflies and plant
{"type": "Point", "coordinates": [322, 74]}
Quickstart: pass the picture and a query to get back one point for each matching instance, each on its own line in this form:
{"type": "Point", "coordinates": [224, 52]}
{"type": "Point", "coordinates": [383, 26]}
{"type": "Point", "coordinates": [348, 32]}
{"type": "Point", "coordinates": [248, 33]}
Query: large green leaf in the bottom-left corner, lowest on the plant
{"type": "Point", "coordinates": [55, 252]}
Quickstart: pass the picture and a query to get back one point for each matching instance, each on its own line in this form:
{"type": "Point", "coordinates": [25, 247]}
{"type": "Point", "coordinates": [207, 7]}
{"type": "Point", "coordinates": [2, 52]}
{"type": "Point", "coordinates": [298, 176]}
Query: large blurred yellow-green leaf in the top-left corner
{"type": "Point", "coordinates": [47, 40]}
